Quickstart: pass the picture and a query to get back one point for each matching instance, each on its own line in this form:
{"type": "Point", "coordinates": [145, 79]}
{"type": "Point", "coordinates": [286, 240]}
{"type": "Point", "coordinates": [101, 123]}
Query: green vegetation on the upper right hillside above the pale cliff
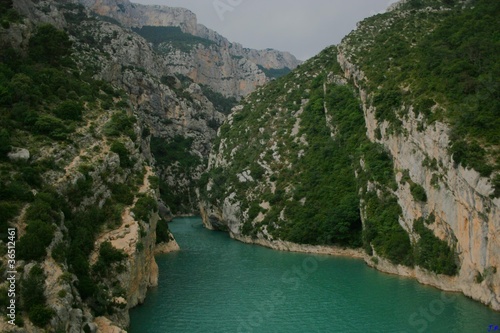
{"type": "Point", "coordinates": [444, 64]}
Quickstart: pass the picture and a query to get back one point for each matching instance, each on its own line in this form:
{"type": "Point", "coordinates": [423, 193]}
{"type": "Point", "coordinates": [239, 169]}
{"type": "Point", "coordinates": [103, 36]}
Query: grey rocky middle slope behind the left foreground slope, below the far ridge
{"type": "Point", "coordinates": [173, 107]}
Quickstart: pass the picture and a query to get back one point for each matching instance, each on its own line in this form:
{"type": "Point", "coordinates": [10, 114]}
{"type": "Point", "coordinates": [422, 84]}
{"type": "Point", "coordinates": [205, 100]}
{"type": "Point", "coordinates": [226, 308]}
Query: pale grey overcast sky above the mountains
{"type": "Point", "coordinates": [302, 27]}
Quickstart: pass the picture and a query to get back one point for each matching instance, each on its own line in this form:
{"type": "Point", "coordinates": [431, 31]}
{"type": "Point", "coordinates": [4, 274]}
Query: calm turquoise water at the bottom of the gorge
{"type": "Point", "coordinates": [217, 285]}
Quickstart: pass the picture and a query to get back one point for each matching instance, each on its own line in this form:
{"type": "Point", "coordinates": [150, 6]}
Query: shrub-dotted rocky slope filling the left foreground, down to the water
{"type": "Point", "coordinates": [78, 178]}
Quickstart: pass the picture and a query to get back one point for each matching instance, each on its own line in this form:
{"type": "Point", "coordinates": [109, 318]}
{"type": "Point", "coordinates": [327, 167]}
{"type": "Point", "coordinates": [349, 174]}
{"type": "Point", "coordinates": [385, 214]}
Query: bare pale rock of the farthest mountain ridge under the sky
{"type": "Point", "coordinates": [231, 58]}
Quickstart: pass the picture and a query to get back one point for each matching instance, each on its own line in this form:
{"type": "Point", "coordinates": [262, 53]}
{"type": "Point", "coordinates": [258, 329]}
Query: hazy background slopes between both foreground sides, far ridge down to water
{"type": "Point", "coordinates": [176, 81]}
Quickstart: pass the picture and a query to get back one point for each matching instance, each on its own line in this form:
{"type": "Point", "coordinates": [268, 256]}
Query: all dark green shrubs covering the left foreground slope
{"type": "Point", "coordinates": [46, 102]}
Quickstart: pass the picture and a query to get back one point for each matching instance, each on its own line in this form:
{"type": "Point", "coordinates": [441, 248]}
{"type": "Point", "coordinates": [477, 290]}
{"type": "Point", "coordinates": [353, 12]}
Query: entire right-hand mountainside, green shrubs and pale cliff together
{"type": "Point", "coordinates": [372, 144]}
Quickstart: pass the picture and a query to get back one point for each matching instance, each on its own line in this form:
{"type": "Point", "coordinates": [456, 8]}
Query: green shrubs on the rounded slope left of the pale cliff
{"type": "Point", "coordinates": [316, 198]}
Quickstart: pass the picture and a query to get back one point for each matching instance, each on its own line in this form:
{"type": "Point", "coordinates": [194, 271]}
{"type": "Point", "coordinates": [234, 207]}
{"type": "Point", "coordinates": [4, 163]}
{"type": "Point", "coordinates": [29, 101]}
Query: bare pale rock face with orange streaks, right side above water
{"type": "Point", "coordinates": [459, 199]}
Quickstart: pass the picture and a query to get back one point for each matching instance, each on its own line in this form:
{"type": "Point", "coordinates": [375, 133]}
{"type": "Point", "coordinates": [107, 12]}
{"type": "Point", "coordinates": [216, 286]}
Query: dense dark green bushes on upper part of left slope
{"type": "Point", "coordinates": [43, 94]}
